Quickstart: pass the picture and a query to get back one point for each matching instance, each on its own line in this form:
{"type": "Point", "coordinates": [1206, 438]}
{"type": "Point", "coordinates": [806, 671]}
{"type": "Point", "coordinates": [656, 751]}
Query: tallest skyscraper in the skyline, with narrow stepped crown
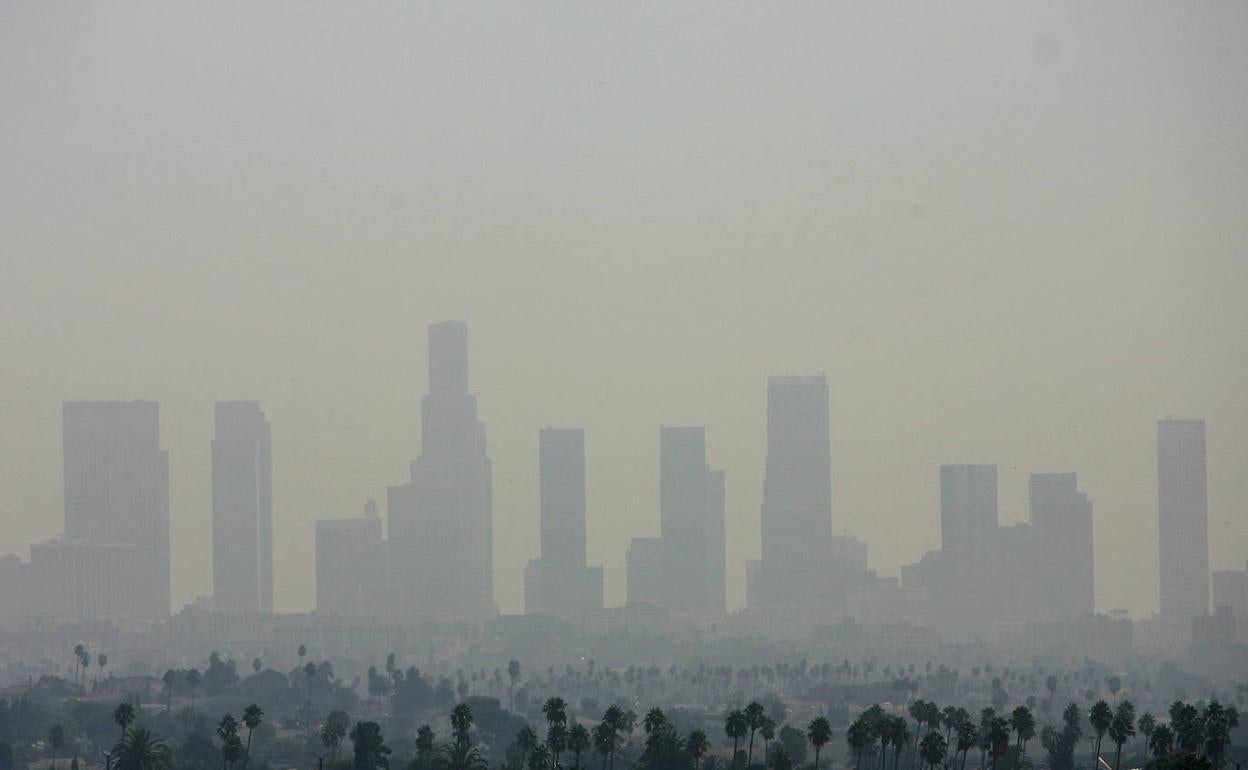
{"type": "Point", "coordinates": [441, 524]}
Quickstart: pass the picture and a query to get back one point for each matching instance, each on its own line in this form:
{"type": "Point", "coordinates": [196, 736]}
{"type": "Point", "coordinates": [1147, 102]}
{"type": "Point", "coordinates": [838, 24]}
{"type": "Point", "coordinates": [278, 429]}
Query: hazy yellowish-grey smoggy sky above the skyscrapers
{"type": "Point", "coordinates": [1009, 234]}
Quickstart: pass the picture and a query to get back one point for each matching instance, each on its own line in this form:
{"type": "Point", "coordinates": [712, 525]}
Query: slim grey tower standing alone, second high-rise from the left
{"type": "Point", "coordinates": [243, 510]}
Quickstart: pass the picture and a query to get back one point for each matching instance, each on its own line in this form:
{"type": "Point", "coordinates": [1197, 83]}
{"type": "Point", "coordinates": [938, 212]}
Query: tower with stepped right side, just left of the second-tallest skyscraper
{"type": "Point", "coordinates": [692, 522]}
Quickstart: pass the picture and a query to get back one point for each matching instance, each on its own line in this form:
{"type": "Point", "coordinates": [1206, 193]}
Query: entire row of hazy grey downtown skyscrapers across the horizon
{"type": "Point", "coordinates": [434, 557]}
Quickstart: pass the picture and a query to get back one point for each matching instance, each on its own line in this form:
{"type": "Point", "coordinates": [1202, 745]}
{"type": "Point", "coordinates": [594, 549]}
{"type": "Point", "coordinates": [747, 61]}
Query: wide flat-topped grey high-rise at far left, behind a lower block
{"type": "Point", "coordinates": [117, 490]}
